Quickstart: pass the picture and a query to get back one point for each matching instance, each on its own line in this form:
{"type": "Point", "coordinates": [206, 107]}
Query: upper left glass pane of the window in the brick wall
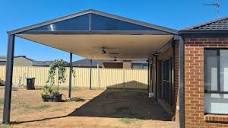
{"type": "Point", "coordinates": [211, 83]}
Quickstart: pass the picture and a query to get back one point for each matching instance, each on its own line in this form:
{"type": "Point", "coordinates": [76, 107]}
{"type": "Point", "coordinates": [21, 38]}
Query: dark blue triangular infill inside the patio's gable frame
{"type": "Point", "coordinates": [98, 22]}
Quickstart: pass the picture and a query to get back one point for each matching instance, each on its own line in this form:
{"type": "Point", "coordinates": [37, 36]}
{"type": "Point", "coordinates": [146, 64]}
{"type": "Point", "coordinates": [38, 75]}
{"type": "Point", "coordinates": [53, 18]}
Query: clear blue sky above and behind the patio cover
{"type": "Point", "coordinates": [177, 14]}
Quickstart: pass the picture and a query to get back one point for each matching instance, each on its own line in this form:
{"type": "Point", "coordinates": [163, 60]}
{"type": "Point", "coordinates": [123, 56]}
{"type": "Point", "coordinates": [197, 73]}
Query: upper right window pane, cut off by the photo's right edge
{"type": "Point", "coordinates": [224, 70]}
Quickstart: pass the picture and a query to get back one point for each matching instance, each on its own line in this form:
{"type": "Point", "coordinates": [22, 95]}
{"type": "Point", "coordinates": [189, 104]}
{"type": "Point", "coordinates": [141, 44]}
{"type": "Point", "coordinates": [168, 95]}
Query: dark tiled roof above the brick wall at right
{"type": "Point", "coordinates": [217, 26]}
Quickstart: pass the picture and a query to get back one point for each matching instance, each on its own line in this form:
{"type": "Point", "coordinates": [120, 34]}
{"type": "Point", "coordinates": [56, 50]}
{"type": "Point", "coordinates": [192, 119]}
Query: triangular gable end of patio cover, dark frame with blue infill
{"type": "Point", "coordinates": [92, 21]}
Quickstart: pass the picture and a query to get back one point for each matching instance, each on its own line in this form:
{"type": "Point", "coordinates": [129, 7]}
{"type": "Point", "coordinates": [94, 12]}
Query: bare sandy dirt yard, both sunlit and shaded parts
{"type": "Point", "coordinates": [111, 108]}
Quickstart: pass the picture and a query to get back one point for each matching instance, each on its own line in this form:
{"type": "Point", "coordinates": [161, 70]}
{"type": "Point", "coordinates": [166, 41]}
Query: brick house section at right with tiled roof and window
{"type": "Point", "coordinates": [205, 65]}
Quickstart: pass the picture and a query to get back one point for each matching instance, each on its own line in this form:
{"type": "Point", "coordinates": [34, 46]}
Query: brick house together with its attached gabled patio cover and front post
{"type": "Point", "coordinates": [187, 69]}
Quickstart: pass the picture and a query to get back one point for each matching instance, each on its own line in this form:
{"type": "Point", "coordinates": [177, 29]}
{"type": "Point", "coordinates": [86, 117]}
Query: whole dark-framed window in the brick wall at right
{"type": "Point", "coordinates": [216, 81]}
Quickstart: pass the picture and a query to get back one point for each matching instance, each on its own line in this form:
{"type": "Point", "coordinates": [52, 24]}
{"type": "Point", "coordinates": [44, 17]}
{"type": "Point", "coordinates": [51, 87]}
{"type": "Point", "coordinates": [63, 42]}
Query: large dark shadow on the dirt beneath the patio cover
{"type": "Point", "coordinates": [123, 103]}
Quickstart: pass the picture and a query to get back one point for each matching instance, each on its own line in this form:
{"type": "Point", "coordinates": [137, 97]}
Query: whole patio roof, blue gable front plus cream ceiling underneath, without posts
{"type": "Point", "coordinates": [97, 35]}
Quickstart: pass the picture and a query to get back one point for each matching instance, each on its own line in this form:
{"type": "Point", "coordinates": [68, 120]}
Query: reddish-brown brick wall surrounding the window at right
{"type": "Point", "coordinates": [194, 83]}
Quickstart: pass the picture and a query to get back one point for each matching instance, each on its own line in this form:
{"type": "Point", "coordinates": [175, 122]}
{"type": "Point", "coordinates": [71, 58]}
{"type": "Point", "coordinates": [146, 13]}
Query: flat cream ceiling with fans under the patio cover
{"type": "Point", "coordinates": [105, 46]}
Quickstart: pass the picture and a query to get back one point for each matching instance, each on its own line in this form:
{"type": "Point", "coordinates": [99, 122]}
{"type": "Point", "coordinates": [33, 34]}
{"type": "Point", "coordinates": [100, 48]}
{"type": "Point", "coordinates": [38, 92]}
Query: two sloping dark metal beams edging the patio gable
{"type": "Point", "coordinates": [99, 13]}
